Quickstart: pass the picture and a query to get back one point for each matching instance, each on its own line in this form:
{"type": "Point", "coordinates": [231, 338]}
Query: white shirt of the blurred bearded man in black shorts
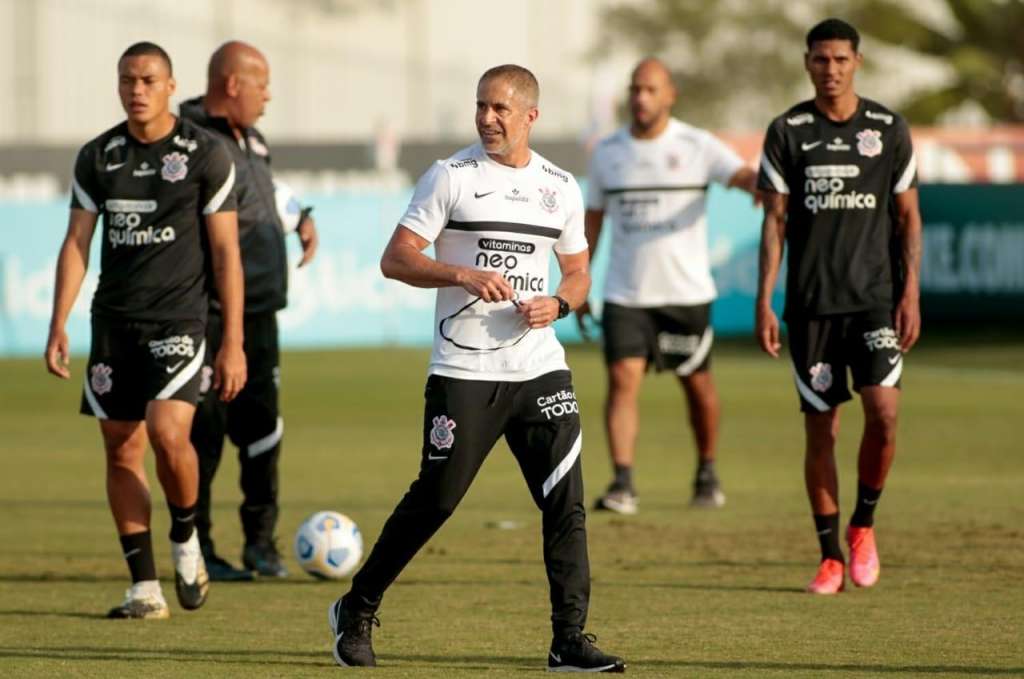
{"type": "Point", "coordinates": [654, 192]}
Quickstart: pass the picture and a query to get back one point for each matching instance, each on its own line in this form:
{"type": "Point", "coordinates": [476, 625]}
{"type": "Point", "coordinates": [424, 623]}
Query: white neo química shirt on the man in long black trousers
{"type": "Point", "coordinates": [490, 217]}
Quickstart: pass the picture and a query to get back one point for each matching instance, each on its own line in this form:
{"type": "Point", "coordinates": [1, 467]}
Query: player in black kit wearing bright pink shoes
{"type": "Point", "coordinates": [839, 178]}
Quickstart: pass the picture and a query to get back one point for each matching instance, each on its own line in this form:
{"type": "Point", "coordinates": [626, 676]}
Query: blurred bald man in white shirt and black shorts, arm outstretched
{"type": "Point", "coordinates": [651, 179]}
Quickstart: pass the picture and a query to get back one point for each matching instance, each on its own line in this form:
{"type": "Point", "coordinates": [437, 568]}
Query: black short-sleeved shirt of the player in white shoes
{"type": "Point", "coordinates": [153, 198]}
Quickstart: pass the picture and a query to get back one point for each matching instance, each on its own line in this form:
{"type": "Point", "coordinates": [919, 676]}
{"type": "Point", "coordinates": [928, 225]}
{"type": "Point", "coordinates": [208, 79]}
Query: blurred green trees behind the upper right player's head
{"type": "Point", "coordinates": [739, 56]}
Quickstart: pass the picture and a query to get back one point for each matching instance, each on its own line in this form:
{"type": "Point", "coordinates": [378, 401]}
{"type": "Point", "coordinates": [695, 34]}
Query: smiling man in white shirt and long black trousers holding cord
{"type": "Point", "coordinates": [495, 213]}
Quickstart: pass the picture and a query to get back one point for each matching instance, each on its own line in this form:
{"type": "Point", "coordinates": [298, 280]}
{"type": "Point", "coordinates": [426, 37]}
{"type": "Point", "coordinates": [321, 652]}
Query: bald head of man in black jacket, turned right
{"type": "Point", "coordinates": [238, 81]}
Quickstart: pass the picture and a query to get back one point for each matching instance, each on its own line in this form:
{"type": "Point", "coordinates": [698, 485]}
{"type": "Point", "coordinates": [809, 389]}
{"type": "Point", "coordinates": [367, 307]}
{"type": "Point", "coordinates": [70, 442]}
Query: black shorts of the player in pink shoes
{"type": "Point", "coordinates": [824, 348]}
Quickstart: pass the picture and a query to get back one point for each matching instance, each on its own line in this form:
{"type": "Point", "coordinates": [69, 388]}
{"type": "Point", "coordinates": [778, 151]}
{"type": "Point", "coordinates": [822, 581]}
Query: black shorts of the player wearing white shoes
{"type": "Point", "coordinates": [133, 363]}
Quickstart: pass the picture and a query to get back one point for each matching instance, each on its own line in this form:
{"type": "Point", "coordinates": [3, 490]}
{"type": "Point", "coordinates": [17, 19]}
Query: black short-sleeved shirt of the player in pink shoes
{"type": "Point", "coordinates": [840, 179]}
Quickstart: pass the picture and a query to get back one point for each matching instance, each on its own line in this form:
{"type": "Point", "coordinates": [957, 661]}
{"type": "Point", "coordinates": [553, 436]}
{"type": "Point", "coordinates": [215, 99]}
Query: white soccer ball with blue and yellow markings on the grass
{"type": "Point", "coordinates": [329, 545]}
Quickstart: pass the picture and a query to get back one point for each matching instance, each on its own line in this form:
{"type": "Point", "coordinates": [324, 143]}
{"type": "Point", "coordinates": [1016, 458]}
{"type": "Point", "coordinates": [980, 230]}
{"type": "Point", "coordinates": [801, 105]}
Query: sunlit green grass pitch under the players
{"type": "Point", "coordinates": [677, 592]}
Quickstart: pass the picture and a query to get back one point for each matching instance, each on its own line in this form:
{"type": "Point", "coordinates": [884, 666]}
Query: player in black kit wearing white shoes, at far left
{"type": "Point", "coordinates": [165, 189]}
